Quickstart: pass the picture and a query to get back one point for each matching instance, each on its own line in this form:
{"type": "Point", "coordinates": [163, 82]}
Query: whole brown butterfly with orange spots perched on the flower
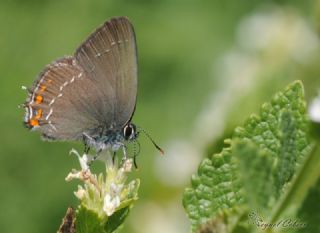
{"type": "Point", "coordinates": [90, 96]}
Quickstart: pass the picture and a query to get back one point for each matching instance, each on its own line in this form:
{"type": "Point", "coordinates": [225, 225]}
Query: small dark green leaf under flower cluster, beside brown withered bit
{"type": "Point", "coordinates": [88, 221]}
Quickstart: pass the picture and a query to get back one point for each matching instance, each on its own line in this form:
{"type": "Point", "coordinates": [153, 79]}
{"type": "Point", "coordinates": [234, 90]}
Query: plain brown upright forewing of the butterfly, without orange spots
{"type": "Point", "coordinates": [109, 57]}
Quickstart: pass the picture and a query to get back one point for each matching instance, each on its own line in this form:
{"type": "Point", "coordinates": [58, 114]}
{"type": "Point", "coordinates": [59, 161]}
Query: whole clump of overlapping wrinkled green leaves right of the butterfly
{"type": "Point", "coordinates": [254, 173]}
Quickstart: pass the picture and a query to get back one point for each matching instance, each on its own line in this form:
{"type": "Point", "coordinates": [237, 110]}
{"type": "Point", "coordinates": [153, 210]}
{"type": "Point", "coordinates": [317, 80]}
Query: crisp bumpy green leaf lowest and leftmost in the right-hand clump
{"type": "Point", "coordinates": [214, 189]}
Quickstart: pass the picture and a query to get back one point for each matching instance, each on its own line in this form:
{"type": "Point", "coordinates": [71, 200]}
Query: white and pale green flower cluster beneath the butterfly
{"type": "Point", "coordinates": [106, 193]}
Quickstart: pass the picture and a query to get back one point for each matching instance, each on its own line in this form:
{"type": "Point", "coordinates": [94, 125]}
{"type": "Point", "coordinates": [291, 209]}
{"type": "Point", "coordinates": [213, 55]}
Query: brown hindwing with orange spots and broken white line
{"type": "Point", "coordinates": [60, 102]}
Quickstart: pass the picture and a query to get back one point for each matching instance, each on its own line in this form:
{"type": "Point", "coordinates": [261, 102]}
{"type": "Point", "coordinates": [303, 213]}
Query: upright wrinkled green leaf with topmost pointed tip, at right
{"type": "Point", "coordinates": [280, 130]}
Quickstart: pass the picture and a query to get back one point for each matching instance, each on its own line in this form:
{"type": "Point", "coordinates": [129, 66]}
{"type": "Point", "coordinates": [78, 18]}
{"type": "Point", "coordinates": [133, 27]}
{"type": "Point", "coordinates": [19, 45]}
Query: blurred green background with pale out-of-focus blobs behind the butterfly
{"type": "Point", "coordinates": [204, 66]}
